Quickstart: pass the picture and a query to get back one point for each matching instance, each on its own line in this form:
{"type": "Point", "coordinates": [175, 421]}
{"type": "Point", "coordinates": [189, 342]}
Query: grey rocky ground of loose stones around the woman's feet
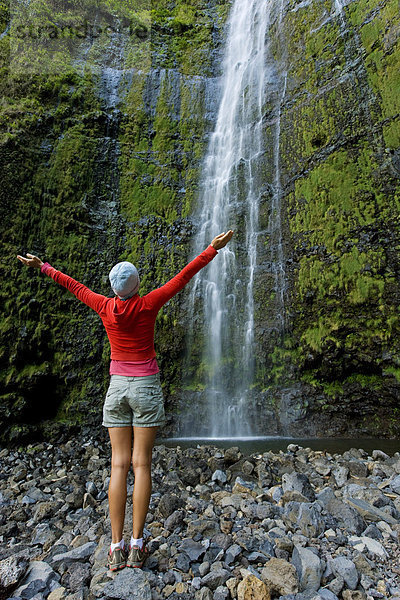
{"type": "Point", "coordinates": [295, 525]}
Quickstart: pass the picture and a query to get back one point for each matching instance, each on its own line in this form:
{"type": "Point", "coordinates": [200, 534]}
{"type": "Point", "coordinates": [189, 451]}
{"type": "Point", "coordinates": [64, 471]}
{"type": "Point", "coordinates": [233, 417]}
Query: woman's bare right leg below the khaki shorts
{"type": "Point", "coordinates": [143, 442]}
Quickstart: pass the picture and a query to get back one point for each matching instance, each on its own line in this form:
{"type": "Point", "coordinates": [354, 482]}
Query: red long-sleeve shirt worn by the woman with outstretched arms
{"type": "Point", "coordinates": [130, 323]}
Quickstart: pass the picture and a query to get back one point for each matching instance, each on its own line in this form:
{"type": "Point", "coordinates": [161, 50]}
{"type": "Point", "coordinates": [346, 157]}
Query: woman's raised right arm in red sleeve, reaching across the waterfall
{"type": "Point", "coordinates": [157, 298]}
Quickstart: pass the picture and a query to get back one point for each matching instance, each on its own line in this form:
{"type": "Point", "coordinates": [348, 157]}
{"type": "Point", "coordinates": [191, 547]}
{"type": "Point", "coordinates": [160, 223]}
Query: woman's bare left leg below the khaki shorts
{"type": "Point", "coordinates": [121, 445]}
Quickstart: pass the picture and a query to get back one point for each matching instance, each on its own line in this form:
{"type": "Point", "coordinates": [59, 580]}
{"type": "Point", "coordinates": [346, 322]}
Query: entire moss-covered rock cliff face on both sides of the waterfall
{"type": "Point", "coordinates": [101, 149]}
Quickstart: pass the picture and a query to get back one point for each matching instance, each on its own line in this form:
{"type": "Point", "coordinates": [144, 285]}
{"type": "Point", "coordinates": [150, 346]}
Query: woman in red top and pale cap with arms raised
{"type": "Point", "coordinates": [134, 397]}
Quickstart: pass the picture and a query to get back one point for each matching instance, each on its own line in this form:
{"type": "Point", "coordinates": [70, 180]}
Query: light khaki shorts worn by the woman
{"type": "Point", "coordinates": [134, 401]}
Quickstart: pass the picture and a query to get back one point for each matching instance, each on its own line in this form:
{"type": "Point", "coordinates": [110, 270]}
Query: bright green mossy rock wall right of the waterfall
{"type": "Point", "coordinates": [340, 138]}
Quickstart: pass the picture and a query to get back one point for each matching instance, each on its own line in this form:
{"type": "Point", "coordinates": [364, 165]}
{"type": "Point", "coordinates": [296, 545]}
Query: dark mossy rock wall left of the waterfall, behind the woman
{"type": "Point", "coordinates": [100, 162]}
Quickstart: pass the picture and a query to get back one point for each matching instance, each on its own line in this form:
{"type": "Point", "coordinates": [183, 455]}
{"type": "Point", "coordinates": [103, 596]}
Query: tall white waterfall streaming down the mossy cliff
{"type": "Point", "coordinates": [232, 182]}
